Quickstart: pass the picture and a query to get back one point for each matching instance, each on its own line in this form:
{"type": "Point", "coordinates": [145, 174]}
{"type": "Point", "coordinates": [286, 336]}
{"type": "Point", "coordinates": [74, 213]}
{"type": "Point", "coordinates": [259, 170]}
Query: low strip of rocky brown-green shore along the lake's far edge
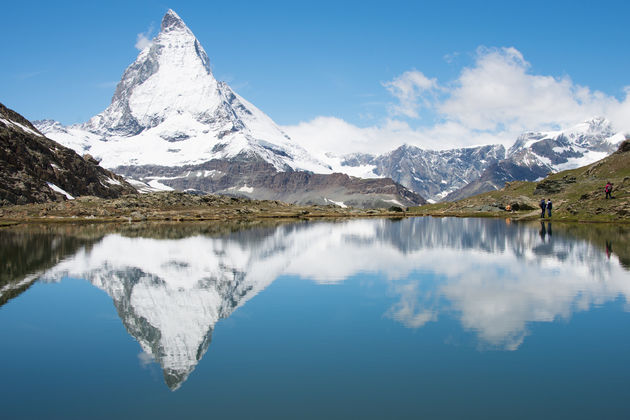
{"type": "Point", "coordinates": [183, 207]}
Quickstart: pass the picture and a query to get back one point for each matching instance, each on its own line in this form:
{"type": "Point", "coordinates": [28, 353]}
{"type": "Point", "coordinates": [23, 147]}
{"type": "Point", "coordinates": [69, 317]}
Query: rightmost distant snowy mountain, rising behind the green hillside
{"type": "Point", "coordinates": [535, 154]}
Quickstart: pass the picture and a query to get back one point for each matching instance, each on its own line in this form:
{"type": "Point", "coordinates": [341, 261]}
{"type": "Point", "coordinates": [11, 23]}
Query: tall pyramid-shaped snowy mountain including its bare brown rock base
{"type": "Point", "coordinates": [172, 125]}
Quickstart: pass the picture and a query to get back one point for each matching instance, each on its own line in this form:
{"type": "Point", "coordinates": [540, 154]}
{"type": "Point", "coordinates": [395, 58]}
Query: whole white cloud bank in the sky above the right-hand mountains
{"type": "Point", "coordinates": [491, 102]}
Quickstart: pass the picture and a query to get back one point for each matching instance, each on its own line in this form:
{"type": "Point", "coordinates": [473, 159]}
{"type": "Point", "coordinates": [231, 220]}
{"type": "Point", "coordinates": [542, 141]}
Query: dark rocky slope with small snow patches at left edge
{"type": "Point", "coordinates": [34, 168]}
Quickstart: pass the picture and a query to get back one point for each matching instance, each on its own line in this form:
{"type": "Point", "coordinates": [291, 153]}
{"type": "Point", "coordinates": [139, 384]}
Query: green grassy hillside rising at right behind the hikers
{"type": "Point", "coordinates": [577, 195]}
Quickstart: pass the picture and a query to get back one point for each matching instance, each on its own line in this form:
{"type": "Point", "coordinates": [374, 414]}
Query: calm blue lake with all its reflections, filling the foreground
{"type": "Point", "coordinates": [410, 318]}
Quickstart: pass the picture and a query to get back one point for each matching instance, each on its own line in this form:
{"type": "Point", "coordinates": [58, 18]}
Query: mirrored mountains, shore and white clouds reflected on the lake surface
{"type": "Point", "coordinates": [171, 286]}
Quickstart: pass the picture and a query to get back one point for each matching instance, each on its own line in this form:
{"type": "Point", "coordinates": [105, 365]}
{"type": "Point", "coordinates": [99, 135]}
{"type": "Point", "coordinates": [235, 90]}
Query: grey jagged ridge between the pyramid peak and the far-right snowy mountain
{"type": "Point", "coordinates": [431, 173]}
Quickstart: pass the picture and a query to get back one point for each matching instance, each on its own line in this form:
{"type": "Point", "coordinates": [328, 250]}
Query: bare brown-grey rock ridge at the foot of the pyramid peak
{"type": "Point", "coordinates": [257, 179]}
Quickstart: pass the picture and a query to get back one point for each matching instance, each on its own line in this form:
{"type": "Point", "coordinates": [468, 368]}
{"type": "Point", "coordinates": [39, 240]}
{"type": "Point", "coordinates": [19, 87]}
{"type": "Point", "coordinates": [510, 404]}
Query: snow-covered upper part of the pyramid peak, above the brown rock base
{"type": "Point", "coordinates": [169, 110]}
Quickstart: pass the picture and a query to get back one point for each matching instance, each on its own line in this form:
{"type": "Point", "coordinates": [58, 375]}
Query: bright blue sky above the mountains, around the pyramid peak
{"type": "Point", "coordinates": [338, 60]}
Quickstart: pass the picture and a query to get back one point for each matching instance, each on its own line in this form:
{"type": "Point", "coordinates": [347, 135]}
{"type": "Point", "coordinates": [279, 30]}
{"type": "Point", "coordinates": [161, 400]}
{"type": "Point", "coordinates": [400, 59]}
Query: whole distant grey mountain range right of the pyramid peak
{"type": "Point", "coordinates": [448, 175]}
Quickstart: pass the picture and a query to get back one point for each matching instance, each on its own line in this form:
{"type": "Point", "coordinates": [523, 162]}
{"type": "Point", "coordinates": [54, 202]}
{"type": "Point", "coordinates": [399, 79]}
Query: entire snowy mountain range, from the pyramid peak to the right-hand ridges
{"type": "Point", "coordinates": [172, 125]}
